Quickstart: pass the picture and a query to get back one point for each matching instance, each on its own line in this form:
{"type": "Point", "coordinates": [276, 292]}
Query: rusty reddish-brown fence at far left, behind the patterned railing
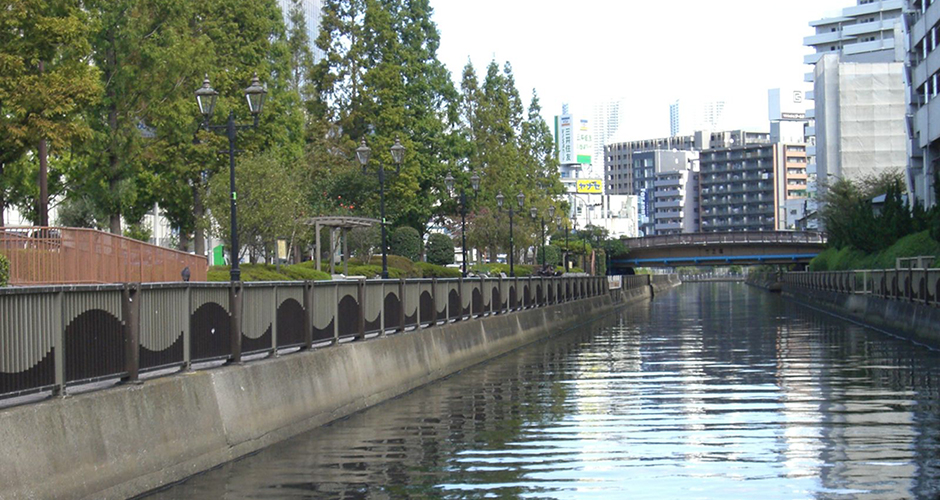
{"type": "Point", "coordinates": [58, 255]}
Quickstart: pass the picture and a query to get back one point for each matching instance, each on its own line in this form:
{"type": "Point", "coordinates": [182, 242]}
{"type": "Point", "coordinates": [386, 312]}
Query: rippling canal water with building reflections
{"type": "Point", "coordinates": [712, 390]}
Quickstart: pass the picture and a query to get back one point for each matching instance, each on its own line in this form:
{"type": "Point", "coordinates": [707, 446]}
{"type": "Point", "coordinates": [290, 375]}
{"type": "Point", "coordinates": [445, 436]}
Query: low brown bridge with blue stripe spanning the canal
{"type": "Point", "coordinates": [719, 249]}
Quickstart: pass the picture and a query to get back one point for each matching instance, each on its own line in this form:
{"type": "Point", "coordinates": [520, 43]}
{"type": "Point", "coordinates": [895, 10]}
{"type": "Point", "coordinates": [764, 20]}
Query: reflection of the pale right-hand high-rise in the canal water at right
{"type": "Point", "coordinates": [847, 415]}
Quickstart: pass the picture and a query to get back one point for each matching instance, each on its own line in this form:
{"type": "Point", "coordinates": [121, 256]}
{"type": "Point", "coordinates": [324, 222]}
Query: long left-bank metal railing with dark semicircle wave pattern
{"type": "Point", "coordinates": [56, 337]}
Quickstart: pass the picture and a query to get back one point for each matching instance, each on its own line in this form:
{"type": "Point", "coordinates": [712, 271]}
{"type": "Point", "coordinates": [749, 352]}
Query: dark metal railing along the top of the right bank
{"type": "Point", "coordinates": [913, 285]}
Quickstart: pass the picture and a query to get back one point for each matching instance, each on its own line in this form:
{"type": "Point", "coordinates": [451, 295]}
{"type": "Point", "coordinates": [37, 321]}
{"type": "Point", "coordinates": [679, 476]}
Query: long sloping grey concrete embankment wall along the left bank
{"type": "Point", "coordinates": [130, 439]}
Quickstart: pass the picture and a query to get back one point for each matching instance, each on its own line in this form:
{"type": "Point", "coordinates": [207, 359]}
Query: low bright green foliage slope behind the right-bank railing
{"type": "Point", "coordinates": [848, 258]}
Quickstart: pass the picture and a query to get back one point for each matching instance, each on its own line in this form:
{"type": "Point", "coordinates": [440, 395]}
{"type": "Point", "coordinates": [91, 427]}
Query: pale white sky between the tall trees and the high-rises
{"type": "Point", "coordinates": [648, 52]}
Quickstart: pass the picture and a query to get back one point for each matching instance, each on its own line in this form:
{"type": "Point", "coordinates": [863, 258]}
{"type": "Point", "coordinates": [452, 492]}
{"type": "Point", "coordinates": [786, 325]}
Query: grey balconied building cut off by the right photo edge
{"type": "Point", "coordinates": [923, 78]}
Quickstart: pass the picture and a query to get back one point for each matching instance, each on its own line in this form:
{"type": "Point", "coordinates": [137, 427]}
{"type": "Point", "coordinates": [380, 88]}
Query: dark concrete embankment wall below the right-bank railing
{"type": "Point", "coordinates": [917, 322]}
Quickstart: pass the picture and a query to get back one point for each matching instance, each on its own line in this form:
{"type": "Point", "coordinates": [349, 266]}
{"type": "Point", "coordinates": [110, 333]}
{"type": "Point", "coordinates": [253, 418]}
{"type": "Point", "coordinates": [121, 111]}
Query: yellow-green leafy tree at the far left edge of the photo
{"type": "Point", "coordinates": [45, 81]}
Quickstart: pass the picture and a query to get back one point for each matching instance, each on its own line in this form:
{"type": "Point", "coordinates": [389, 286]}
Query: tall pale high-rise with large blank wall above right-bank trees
{"type": "Point", "coordinates": [859, 103]}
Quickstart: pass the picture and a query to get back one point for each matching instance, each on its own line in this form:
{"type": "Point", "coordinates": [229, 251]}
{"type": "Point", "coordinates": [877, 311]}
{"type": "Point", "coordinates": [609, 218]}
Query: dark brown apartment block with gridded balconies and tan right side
{"type": "Point", "coordinates": [746, 188]}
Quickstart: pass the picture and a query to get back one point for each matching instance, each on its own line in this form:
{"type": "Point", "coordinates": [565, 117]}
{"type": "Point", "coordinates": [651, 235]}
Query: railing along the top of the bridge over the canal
{"type": "Point", "coordinates": [756, 237]}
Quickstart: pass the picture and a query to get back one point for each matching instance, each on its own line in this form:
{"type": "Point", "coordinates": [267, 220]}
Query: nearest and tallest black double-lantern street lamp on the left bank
{"type": "Point", "coordinates": [205, 98]}
